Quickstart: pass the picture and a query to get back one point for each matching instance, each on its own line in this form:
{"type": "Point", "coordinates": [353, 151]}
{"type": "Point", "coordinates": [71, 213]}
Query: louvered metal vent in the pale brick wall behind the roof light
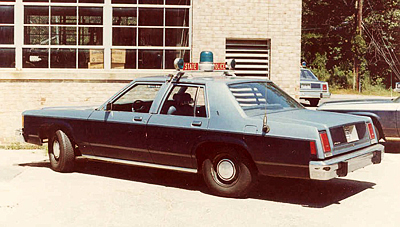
{"type": "Point", "coordinates": [252, 56]}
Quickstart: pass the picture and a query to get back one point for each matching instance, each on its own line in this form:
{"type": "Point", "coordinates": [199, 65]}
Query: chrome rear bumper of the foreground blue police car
{"type": "Point", "coordinates": [344, 164]}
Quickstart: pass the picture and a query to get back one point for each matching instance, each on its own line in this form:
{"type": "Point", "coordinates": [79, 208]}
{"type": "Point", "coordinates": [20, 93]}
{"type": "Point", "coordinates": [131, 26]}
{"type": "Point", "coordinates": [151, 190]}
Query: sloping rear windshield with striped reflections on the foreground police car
{"type": "Point", "coordinates": [252, 98]}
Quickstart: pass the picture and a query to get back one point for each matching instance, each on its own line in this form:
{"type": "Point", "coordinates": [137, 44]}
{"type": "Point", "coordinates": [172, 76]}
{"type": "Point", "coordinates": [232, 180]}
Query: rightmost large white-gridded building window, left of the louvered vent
{"type": "Point", "coordinates": [154, 35]}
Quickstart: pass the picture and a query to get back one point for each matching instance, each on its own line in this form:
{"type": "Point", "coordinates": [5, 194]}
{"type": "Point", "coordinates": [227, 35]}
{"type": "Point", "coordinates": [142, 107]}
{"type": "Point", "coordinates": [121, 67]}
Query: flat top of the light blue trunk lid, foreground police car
{"type": "Point", "coordinates": [319, 119]}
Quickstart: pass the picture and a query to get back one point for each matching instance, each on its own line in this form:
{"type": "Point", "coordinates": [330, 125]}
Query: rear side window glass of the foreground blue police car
{"type": "Point", "coordinates": [185, 101]}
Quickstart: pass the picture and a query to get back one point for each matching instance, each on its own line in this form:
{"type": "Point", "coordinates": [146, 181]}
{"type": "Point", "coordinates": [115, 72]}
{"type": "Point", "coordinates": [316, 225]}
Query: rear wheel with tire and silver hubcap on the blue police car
{"type": "Point", "coordinates": [228, 173]}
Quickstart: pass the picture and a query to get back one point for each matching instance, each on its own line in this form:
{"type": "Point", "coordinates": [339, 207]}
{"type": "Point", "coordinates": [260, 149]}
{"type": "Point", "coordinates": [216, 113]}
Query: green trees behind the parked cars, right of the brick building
{"type": "Point", "coordinates": [331, 43]}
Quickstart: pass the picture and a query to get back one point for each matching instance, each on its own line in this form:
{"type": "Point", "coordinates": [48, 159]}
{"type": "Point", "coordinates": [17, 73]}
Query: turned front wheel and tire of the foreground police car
{"type": "Point", "coordinates": [61, 152]}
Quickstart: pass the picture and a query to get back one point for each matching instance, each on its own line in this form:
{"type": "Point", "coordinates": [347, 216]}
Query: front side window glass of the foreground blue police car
{"type": "Point", "coordinates": [138, 99]}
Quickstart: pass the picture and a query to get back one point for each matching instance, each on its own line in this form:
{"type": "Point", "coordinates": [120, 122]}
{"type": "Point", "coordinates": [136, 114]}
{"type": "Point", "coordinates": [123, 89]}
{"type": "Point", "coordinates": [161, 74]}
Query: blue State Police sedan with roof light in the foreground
{"type": "Point", "coordinates": [228, 129]}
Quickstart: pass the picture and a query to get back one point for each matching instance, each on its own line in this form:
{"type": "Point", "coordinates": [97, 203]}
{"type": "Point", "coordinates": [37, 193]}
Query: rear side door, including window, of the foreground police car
{"type": "Point", "coordinates": [181, 121]}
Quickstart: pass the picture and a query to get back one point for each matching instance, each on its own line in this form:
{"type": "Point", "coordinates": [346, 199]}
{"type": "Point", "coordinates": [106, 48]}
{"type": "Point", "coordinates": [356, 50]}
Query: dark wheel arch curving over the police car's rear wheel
{"type": "Point", "coordinates": [207, 150]}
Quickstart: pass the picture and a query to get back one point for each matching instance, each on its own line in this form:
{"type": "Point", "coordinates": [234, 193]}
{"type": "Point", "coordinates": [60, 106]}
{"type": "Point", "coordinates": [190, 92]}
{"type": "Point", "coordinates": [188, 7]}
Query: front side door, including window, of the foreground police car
{"type": "Point", "coordinates": [119, 131]}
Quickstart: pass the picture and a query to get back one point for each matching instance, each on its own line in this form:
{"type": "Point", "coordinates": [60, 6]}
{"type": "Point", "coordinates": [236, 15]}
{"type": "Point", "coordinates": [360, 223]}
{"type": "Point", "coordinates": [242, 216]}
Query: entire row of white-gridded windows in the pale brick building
{"type": "Point", "coordinates": [142, 34]}
